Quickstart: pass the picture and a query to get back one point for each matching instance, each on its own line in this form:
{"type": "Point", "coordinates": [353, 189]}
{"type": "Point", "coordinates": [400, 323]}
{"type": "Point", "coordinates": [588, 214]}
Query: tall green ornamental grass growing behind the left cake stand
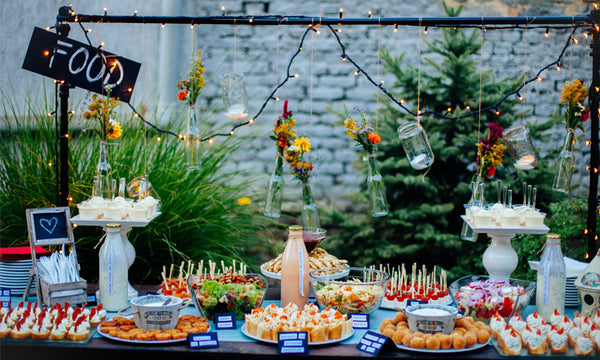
{"type": "Point", "coordinates": [201, 218]}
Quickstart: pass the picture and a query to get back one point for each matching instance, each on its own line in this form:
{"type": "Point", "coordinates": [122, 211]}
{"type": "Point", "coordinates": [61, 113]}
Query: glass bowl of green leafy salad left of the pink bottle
{"type": "Point", "coordinates": [227, 293]}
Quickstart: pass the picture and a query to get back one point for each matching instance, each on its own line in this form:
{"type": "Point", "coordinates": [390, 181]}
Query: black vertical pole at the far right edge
{"type": "Point", "coordinates": [594, 101]}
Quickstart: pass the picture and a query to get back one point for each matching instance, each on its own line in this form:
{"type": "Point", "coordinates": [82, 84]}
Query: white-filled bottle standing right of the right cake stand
{"type": "Point", "coordinates": [551, 279]}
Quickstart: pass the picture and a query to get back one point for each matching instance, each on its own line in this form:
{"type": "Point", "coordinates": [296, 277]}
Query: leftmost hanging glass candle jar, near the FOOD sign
{"type": "Point", "coordinates": [235, 97]}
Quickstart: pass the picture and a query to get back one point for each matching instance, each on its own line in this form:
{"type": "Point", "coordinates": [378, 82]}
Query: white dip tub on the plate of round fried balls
{"type": "Point", "coordinates": [431, 318]}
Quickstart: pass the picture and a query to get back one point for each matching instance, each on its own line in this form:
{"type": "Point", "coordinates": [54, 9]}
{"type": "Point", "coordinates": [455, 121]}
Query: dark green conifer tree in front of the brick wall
{"type": "Point", "coordinates": [424, 222]}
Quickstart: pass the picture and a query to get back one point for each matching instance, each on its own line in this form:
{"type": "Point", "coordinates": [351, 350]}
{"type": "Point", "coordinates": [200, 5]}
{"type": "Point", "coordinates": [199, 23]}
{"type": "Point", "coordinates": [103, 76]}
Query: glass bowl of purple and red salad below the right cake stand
{"type": "Point", "coordinates": [480, 297]}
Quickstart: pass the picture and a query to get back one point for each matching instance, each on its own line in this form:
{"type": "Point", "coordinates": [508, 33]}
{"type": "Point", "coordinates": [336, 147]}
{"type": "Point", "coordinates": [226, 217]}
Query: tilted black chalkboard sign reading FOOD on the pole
{"type": "Point", "coordinates": [80, 65]}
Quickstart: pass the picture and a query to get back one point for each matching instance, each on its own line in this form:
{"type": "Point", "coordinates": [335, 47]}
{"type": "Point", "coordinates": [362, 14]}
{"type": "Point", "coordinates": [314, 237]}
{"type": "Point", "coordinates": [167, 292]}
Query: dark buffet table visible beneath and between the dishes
{"type": "Point", "coordinates": [232, 344]}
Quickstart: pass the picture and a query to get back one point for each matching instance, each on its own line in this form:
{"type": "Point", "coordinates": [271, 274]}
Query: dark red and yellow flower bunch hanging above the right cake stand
{"type": "Point", "coordinates": [490, 151]}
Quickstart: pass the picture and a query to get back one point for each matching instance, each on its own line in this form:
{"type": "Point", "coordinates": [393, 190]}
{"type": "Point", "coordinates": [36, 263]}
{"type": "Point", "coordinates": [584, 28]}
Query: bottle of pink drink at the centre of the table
{"type": "Point", "coordinates": [294, 269]}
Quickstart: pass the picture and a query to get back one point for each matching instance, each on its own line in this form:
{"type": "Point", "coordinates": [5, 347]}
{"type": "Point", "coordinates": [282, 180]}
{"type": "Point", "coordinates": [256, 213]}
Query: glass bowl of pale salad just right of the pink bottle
{"type": "Point", "coordinates": [349, 289]}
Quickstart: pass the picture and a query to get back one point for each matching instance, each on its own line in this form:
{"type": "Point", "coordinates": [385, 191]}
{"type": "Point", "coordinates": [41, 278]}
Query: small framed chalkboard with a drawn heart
{"type": "Point", "coordinates": [49, 226]}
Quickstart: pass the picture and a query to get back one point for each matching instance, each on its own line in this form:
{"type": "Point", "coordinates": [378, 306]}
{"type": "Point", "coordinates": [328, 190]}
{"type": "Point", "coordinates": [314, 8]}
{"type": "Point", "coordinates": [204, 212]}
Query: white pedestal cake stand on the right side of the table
{"type": "Point", "coordinates": [500, 259]}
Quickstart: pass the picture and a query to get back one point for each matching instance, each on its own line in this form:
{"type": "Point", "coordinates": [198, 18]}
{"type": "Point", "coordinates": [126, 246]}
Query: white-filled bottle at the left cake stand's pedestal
{"type": "Point", "coordinates": [113, 279]}
